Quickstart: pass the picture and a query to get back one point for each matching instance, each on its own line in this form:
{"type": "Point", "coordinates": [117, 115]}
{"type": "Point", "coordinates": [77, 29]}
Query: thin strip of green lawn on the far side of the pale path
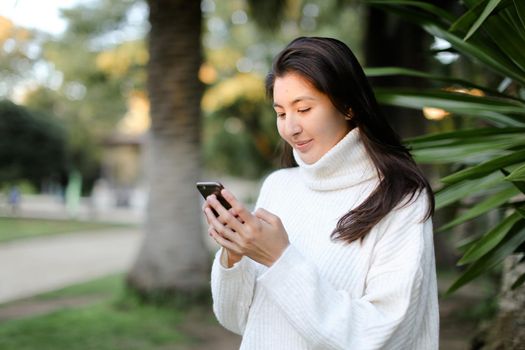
{"type": "Point", "coordinates": [16, 228]}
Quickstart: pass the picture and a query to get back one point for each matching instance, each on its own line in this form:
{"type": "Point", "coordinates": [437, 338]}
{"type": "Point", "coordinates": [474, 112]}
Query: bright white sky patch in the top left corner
{"type": "Point", "coordinates": [40, 14]}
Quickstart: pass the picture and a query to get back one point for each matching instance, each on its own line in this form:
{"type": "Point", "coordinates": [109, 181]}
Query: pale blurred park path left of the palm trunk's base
{"type": "Point", "coordinates": [32, 266]}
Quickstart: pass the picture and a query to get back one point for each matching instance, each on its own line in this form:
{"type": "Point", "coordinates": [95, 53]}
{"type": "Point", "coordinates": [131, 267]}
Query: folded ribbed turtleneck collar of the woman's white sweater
{"type": "Point", "coordinates": [344, 165]}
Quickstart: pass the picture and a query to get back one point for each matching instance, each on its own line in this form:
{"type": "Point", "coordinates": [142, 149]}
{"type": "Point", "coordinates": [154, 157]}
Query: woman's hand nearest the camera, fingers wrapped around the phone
{"type": "Point", "coordinates": [260, 236]}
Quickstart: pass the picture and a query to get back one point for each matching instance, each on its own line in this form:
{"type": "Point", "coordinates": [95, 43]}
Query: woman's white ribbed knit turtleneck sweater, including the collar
{"type": "Point", "coordinates": [379, 293]}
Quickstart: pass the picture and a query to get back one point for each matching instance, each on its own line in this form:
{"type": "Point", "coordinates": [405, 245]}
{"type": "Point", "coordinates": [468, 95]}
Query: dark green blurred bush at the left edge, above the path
{"type": "Point", "coordinates": [32, 146]}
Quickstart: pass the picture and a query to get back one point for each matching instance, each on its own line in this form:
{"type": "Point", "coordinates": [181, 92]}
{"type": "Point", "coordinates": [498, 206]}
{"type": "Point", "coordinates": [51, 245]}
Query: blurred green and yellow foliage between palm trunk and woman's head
{"type": "Point", "coordinates": [240, 137]}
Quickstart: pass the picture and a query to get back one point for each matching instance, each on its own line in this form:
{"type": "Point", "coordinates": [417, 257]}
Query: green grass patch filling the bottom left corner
{"type": "Point", "coordinates": [103, 326]}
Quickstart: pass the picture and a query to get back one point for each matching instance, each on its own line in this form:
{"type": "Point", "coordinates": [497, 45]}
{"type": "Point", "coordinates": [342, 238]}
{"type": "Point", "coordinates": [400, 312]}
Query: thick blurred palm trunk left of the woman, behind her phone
{"type": "Point", "coordinates": [173, 257]}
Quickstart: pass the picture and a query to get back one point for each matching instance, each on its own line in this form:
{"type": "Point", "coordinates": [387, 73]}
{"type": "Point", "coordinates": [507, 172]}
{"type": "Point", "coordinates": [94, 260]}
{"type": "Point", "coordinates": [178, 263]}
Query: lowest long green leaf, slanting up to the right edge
{"type": "Point", "coordinates": [506, 247]}
